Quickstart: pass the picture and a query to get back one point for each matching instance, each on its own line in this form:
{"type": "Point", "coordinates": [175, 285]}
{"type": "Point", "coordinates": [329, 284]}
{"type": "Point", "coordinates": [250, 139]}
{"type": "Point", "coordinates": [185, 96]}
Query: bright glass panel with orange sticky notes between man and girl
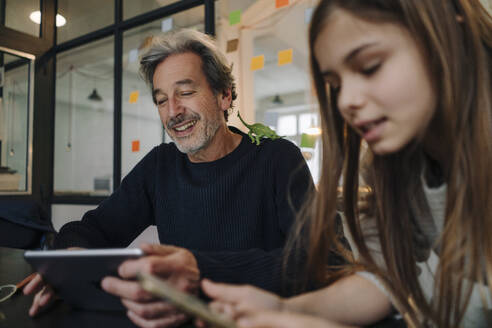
{"type": "Point", "coordinates": [273, 62]}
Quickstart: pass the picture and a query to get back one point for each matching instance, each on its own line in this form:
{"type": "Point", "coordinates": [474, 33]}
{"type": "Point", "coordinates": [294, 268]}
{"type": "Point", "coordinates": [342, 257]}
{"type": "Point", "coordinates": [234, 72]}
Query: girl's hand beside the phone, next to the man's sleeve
{"type": "Point", "coordinates": [235, 301]}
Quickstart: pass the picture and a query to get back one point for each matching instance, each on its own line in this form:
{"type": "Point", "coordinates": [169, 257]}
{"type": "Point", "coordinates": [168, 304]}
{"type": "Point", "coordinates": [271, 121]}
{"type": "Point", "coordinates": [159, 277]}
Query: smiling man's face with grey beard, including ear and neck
{"type": "Point", "coordinates": [191, 111]}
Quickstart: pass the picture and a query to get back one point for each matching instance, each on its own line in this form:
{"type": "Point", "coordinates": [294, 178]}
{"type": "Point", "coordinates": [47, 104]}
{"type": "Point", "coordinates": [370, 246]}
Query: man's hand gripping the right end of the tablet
{"type": "Point", "coordinates": [177, 265]}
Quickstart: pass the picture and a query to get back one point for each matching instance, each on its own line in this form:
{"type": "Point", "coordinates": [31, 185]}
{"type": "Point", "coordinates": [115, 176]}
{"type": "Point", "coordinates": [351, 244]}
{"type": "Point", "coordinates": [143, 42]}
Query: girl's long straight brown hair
{"type": "Point", "coordinates": [456, 38]}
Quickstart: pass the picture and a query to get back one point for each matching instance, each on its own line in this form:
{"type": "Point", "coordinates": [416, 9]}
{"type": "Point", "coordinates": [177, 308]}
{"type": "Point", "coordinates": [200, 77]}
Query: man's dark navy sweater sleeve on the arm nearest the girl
{"type": "Point", "coordinates": [259, 267]}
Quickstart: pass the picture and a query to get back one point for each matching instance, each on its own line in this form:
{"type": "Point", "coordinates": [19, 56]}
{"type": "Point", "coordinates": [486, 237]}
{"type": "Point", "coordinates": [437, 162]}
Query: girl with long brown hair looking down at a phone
{"type": "Point", "coordinates": [412, 80]}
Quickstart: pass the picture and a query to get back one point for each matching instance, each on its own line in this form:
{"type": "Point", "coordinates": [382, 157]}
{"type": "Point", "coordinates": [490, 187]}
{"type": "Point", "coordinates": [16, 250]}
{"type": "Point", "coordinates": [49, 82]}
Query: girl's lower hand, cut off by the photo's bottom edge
{"type": "Point", "coordinates": [272, 319]}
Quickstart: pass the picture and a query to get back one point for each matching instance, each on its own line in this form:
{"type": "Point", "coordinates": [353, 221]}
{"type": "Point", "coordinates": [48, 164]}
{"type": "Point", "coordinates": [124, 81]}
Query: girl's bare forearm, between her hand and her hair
{"type": "Point", "coordinates": [353, 300]}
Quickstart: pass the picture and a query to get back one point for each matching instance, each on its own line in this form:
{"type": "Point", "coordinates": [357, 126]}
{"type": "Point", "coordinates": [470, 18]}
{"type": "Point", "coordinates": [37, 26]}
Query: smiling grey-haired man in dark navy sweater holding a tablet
{"type": "Point", "coordinates": [222, 205]}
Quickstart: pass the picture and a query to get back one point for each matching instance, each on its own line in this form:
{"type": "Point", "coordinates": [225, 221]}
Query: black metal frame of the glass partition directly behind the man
{"type": "Point", "coordinates": [116, 30]}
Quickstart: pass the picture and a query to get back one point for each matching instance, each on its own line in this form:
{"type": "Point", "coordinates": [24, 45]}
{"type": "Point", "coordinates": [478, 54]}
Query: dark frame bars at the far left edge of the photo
{"type": "Point", "coordinates": [42, 135]}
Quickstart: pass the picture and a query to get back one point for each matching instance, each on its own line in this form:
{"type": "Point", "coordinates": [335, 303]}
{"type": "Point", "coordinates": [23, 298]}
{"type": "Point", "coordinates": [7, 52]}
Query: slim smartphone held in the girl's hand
{"type": "Point", "coordinates": [187, 303]}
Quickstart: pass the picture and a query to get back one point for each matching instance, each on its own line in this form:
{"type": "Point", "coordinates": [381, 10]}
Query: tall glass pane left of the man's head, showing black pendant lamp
{"type": "Point", "coordinates": [84, 116]}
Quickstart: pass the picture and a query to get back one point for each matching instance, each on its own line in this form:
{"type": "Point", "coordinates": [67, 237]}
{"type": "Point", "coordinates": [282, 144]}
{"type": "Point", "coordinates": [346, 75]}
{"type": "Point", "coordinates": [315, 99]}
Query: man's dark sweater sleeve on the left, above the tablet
{"type": "Point", "coordinates": [120, 218]}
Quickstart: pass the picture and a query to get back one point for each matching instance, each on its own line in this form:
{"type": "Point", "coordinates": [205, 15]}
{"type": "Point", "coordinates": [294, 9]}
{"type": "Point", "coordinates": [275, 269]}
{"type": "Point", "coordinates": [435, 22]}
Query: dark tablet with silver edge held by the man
{"type": "Point", "coordinates": [76, 275]}
